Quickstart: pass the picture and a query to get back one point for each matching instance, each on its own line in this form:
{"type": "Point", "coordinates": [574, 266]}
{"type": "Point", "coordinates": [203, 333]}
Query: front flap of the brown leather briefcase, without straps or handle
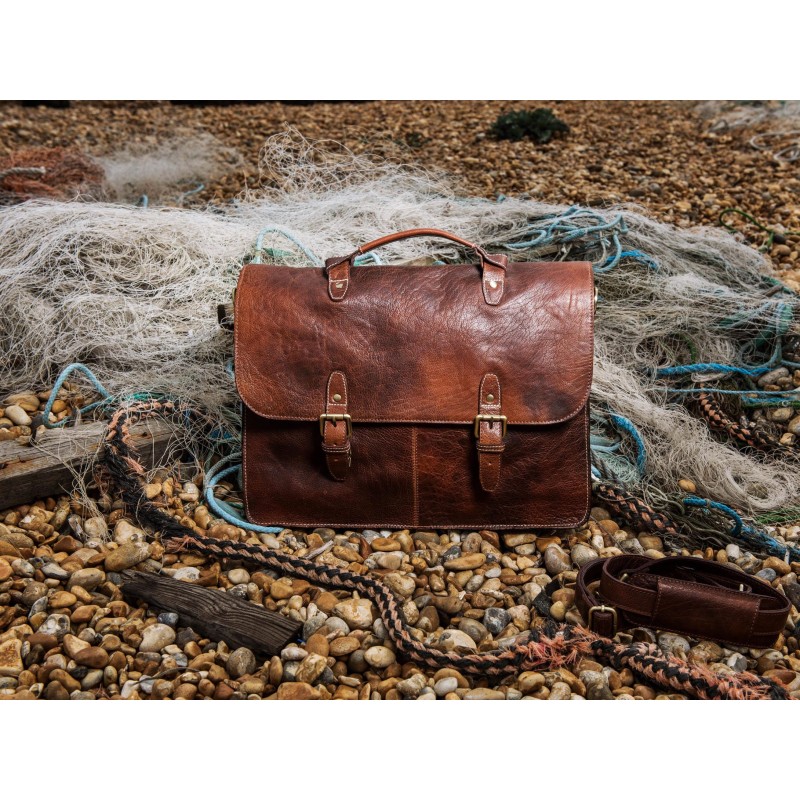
{"type": "Point", "coordinates": [414, 342]}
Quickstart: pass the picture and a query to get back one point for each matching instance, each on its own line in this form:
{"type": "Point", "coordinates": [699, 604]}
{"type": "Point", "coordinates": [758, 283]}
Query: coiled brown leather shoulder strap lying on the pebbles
{"type": "Point", "coordinates": [702, 599]}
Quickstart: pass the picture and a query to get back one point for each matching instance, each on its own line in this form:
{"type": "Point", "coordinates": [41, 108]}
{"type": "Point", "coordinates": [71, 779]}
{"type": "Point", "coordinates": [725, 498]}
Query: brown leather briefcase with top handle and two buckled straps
{"type": "Point", "coordinates": [416, 396]}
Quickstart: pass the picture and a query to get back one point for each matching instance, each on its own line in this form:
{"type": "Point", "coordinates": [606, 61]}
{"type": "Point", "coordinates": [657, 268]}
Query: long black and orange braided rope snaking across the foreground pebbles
{"type": "Point", "coordinates": [551, 646]}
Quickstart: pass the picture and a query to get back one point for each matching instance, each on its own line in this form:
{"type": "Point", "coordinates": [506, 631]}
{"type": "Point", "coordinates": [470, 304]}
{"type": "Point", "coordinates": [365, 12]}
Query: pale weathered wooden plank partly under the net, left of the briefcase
{"type": "Point", "coordinates": [29, 472]}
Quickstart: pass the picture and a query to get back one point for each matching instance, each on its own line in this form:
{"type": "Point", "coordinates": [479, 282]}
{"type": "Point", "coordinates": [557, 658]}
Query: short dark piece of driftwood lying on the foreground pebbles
{"type": "Point", "coordinates": [213, 613]}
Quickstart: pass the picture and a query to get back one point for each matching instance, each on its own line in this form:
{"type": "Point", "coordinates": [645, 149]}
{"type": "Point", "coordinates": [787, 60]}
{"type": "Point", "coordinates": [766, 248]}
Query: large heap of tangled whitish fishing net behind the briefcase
{"type": "Point", "coordinates": [132, 292]}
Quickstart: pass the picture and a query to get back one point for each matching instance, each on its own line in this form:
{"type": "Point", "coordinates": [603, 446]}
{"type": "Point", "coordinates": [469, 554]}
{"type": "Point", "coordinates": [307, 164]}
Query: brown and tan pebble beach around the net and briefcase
{"type": "Point", "coordinates": [67, 631]}
